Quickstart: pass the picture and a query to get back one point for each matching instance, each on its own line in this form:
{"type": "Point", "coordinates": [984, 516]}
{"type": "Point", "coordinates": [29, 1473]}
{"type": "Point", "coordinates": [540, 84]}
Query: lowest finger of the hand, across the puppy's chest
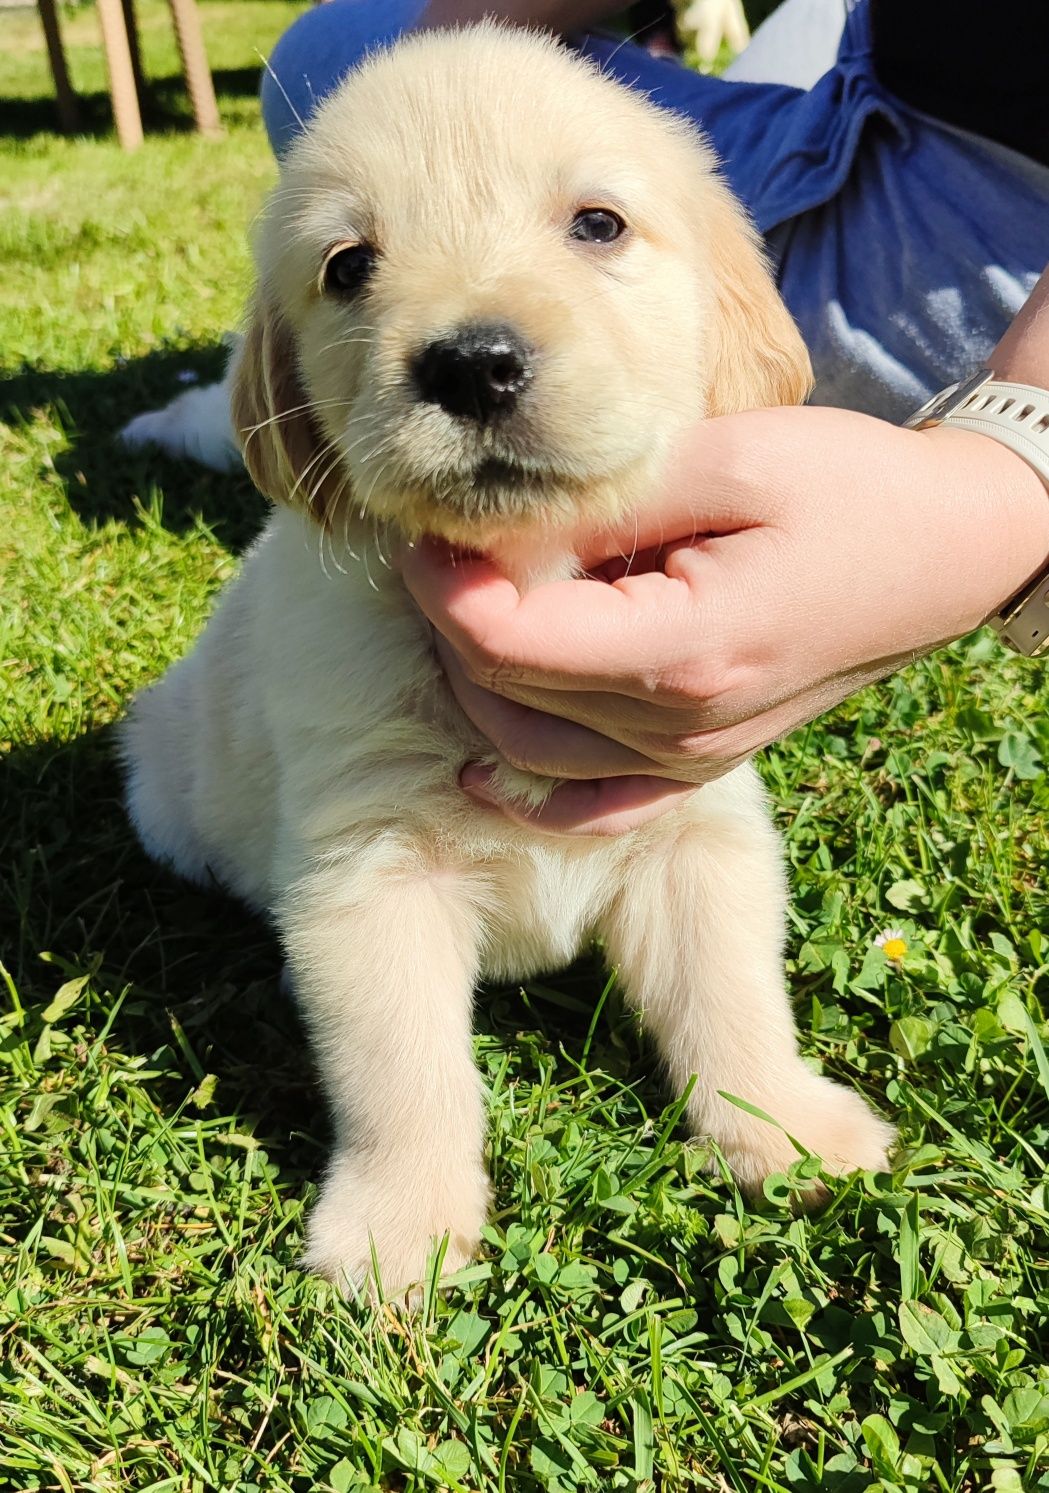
{"type": "Point", "coordinates": [596, 810]}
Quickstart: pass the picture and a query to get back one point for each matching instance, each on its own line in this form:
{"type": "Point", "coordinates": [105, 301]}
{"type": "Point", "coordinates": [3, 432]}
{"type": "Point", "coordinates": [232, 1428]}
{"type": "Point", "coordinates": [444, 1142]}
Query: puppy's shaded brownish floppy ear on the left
{"type": "Point", "coordinates": [284, 450]}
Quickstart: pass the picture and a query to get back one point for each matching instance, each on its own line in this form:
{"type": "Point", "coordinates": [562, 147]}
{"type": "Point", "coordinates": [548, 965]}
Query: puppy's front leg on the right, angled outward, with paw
{"type": "Point", "coordinates": [698, 938]}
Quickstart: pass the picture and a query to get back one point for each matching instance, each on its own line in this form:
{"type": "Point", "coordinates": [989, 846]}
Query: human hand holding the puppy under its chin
{"type": "Point", "coordinates": [798, 556]}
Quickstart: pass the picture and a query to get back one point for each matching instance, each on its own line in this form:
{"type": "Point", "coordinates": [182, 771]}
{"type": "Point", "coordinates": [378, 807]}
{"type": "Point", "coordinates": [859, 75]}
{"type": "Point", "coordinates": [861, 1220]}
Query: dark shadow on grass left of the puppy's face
{"type": "Point", "coordinates": [104, 479]}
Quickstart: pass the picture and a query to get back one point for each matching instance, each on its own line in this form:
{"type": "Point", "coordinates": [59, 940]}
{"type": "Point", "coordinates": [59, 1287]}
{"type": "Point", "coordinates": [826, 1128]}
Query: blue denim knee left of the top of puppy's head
{"type": "Point", "coordinates": [317, 53]}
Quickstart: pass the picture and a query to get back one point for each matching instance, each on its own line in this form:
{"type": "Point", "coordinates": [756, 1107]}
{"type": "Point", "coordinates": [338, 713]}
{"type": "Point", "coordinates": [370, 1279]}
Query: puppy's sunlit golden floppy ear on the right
{"type": "Point", "coordinates": [756, 356]}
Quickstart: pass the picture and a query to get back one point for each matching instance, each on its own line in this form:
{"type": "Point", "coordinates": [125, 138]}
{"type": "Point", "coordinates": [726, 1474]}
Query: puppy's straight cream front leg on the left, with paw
{"type": "Point", "coordinates": [384, 964]}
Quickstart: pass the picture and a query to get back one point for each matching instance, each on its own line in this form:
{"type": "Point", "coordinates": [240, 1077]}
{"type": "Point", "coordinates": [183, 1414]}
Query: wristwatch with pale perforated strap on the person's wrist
{"type": "Point", "coordinates": [1018, 417]}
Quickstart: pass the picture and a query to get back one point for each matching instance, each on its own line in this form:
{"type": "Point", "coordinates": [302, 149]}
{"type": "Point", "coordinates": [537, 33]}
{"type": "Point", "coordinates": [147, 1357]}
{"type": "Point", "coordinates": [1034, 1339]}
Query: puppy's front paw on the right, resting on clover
{"type": "Point", "coordinates": [832, 1122]}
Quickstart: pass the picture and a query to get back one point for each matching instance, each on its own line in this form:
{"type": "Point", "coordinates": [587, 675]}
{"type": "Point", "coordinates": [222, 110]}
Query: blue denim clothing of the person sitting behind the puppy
{"type": "Point", "coordinates": [904, 247]}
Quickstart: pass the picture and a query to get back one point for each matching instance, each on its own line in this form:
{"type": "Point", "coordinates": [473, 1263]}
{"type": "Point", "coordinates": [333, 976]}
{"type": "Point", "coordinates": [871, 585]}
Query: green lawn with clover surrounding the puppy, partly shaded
{"type": "Point", "coordinates": [632, 1324]}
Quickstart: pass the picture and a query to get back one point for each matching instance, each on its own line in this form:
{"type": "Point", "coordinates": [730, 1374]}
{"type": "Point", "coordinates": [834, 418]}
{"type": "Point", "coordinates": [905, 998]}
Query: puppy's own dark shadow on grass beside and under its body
{"type": "Point", "coordinates": [199, 976]}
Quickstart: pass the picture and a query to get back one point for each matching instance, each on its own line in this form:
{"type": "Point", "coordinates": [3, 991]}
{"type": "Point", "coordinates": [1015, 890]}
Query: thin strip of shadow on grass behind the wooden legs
{"type": "Point", "coordinates": [165, 108]}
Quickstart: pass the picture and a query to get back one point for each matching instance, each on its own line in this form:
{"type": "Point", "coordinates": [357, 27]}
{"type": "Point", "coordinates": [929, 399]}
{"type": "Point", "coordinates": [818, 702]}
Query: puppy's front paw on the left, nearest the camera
{"type": "Point", "coordinates": [401, 1216]}
